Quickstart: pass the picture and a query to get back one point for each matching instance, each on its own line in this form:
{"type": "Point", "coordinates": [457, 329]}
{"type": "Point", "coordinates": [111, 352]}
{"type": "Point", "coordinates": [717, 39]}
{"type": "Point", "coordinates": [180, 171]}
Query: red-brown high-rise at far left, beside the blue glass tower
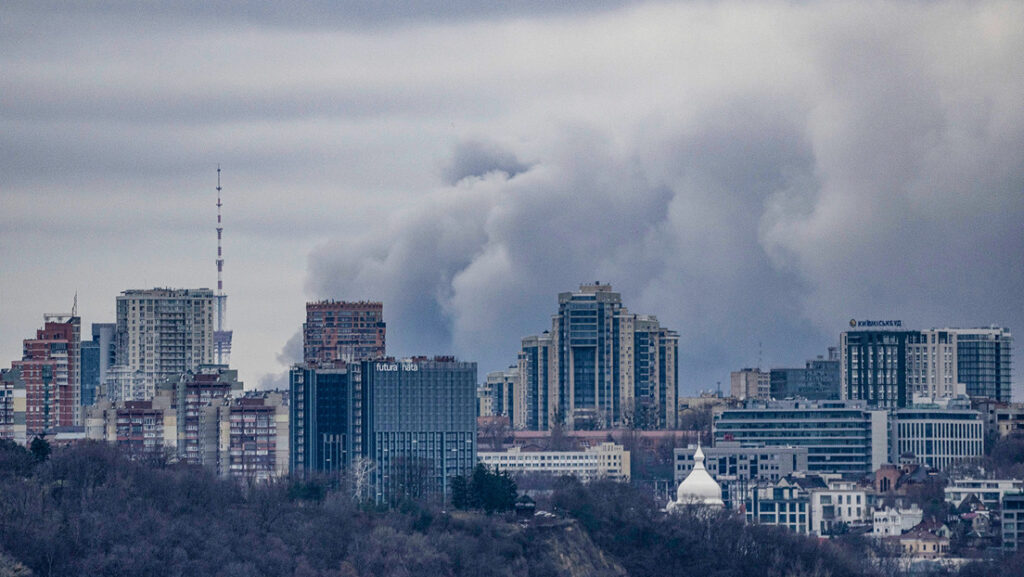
{"type": "Point", "coordinates": [51, 370]}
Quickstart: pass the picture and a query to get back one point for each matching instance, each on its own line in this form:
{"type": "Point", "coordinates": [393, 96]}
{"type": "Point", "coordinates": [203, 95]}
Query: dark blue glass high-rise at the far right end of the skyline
{"type": "Point", "coordinates": [984, 362]}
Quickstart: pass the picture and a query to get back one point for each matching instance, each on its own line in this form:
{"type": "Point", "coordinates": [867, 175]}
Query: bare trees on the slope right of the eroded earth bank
{"type": "Point", "coordinates": [626, 524]}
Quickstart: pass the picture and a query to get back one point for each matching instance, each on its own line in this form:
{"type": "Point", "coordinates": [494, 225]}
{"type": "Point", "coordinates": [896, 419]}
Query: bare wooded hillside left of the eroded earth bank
{"type": "Point", "coordinates": [87, 511]}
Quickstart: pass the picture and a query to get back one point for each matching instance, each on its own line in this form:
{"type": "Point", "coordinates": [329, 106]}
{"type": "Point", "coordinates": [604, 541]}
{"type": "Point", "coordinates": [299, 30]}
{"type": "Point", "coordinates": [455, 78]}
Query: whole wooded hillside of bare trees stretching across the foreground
{"type": "Point", "coordinates": [87, 511]}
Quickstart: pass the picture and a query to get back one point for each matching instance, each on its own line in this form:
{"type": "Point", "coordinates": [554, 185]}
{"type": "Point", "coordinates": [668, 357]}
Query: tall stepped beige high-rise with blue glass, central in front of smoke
{"type": "Point", "coordinates": [601, 366]}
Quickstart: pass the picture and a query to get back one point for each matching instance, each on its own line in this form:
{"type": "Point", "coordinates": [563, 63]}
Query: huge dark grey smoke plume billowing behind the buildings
{"type": "Point", "coordinates": [866, 185]}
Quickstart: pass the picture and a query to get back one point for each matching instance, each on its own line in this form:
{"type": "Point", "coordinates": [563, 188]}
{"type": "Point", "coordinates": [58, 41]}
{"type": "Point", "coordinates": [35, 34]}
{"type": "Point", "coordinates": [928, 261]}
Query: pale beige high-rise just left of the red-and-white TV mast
{"type": "Point", "coordinates": [163, 334]}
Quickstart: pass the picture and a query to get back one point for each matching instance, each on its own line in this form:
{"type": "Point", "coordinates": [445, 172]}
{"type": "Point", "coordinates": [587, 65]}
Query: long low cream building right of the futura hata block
{"type": "Point", "coordinates": [607, 461]}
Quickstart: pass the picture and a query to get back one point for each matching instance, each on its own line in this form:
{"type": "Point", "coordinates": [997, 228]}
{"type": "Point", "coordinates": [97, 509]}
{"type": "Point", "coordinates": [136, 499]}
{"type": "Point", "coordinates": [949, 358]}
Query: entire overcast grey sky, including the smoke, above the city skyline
{"type": "Point", "coordinates": [754, 174]}
